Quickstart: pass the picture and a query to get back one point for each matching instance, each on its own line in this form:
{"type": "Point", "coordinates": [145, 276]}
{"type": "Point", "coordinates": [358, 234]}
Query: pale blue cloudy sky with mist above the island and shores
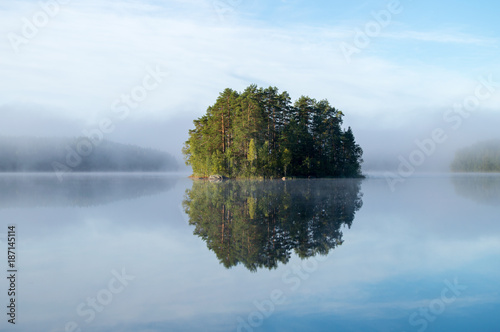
{"type": "Point", "coordinates": [399, 70]}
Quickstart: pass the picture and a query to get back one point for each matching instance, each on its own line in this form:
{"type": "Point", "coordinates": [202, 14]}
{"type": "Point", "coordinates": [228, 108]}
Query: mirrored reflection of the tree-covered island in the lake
{"type": "Point", "coordinates": [259, 223]}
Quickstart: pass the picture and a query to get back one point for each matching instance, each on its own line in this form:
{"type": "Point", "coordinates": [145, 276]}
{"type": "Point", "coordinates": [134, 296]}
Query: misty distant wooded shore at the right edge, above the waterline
{"type": "Point", "coordinates": [480, 157]}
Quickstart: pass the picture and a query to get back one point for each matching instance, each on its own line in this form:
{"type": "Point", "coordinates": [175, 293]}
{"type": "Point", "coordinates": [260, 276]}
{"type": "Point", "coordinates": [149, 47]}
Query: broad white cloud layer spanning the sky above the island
{"type": "Point", "coordinates": [93, 52]}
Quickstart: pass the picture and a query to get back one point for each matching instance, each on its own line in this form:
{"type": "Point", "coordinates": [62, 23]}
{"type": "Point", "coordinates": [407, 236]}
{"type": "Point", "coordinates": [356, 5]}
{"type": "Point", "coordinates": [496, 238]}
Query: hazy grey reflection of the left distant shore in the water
{"type": "Point", "coordinates": [78, 190]}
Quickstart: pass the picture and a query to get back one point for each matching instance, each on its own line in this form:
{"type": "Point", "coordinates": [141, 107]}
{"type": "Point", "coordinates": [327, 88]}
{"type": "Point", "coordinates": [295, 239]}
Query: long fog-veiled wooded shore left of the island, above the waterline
{"type": "Point", "coordinates": [33, 154]}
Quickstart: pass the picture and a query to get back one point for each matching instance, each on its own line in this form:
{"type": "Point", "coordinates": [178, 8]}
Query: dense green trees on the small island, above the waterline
{"type": "Point", "coordinates": [260, 133]}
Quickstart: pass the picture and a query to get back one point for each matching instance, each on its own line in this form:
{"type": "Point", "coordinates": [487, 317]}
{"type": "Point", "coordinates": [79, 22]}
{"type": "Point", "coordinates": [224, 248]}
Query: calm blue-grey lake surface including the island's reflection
{"type": "Point", "coordinates": [164, 253]}
